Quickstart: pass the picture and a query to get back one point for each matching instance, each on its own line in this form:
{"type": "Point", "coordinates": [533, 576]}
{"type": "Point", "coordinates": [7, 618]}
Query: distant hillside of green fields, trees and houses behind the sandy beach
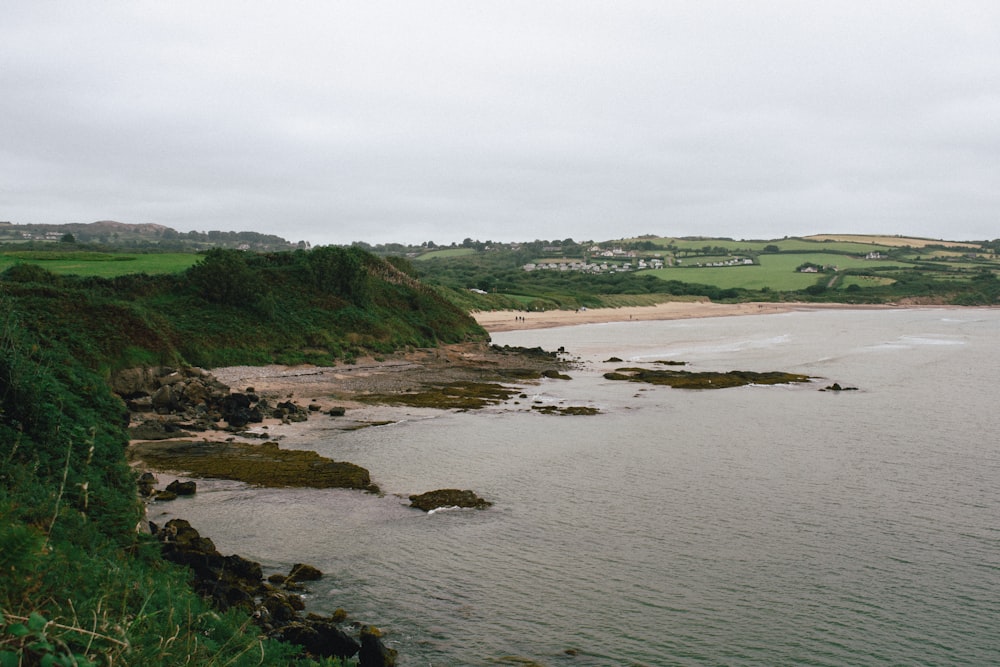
{"type": "Point", "coordinates": [646, 270]}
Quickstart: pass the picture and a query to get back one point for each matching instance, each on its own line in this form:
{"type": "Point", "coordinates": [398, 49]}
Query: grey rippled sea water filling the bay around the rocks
{"type": "Point", "coordinates": [749, 526]}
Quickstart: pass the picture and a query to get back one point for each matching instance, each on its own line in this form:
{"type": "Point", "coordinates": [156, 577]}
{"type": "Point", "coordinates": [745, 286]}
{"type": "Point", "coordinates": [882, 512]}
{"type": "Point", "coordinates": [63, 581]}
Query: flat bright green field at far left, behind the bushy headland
{"type": "Point", "coordinates": [104, 265]}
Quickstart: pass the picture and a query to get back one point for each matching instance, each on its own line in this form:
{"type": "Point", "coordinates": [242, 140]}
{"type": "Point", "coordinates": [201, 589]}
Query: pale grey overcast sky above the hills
{"type": "Point", "coordinates": [440, 120]}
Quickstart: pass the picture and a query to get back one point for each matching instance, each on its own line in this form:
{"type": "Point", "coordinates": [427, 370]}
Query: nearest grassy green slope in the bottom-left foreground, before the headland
{"type": "Point", "coordinates": [78, 584]}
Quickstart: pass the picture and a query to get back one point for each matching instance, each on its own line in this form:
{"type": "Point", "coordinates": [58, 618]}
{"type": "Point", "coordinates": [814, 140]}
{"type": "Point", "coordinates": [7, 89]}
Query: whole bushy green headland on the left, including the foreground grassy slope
{"type": "Point", "coordinates": [78, 584]}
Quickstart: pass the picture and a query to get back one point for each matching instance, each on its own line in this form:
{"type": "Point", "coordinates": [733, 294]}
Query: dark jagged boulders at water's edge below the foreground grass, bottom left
{"type": "Point", "coordinates": [233, 582]}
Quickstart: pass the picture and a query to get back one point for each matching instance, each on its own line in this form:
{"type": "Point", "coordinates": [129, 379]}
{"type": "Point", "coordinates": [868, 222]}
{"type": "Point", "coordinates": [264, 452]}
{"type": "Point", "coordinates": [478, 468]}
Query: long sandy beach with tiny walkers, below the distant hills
{"type": "Point", "coordinates": [513, 320]}
